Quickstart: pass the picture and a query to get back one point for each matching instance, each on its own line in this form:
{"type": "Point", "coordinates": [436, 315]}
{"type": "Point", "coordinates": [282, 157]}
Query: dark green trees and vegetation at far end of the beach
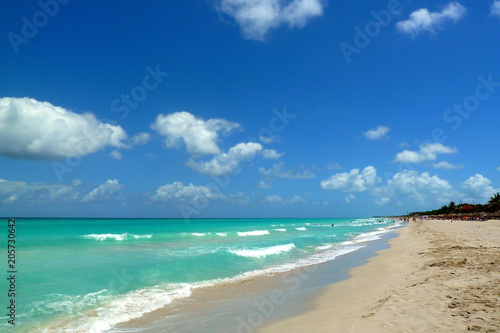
{"type": "Point", "coordinates": [491, 209]}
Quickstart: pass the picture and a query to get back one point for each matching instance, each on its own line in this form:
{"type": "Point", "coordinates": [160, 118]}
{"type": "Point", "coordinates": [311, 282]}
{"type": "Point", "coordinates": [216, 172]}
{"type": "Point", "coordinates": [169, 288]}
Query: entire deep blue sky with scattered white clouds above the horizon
{"type": "Point", "coordinates": [247, 108]}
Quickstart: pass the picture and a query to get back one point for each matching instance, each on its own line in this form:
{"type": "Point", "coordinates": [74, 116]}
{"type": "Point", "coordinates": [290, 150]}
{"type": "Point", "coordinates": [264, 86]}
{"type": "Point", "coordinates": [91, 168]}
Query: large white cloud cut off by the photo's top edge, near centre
{"type": "Point", "coordinates": [257, 17]}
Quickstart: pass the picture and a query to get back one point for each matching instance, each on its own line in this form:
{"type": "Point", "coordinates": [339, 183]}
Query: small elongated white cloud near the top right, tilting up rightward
{"type": "Point", "coordinates": [423, 20]}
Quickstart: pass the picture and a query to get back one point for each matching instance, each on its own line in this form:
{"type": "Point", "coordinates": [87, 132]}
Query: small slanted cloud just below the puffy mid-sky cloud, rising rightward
{"type": "Point", "coordinates": [227, 163]}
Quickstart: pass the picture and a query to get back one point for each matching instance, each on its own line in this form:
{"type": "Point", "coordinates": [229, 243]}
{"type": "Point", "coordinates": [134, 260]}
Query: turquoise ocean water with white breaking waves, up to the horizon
{"type": "Point", "coordinates": [87, 275]}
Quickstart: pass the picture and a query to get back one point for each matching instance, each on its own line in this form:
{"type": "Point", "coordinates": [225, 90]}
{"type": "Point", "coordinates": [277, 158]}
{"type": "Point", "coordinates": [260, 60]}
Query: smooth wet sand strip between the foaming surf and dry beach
{"type": "Point", "coordinates": [246, 306]}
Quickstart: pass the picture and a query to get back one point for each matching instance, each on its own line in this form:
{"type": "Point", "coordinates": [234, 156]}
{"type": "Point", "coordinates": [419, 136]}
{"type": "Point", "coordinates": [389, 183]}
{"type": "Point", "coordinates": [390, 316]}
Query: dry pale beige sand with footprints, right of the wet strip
{"type": "Point", "coordinates": [438, 276]}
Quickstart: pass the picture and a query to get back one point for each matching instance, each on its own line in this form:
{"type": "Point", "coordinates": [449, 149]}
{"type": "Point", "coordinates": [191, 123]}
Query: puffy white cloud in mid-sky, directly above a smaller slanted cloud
{"type": "Point", "coordinates": [200, 136]}
